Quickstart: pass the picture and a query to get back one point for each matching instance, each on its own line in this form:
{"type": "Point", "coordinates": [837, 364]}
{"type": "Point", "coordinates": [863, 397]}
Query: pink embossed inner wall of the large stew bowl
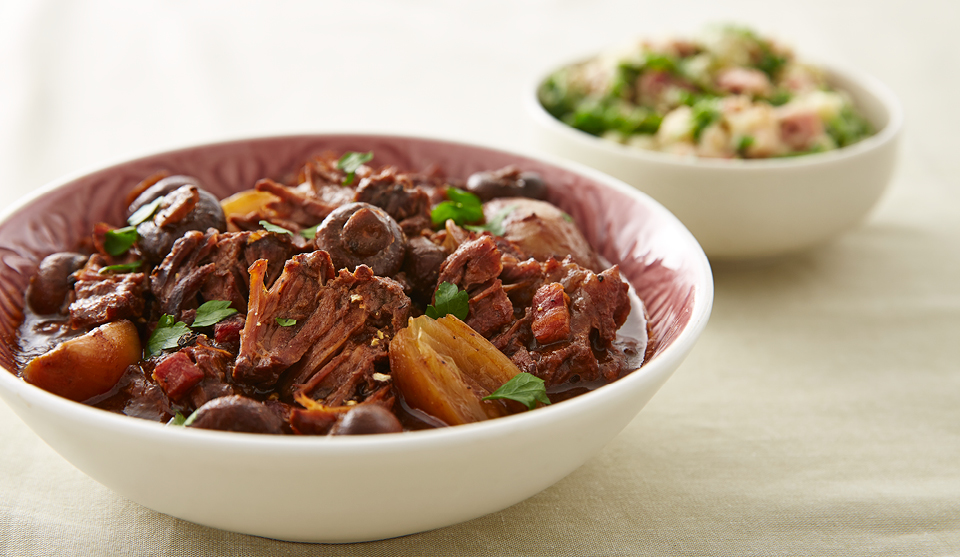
{"type": "Point", "coordinates": [656, 254]}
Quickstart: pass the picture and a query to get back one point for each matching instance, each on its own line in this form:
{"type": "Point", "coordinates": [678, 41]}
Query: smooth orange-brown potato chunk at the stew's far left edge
{"type": "Point", "coordinates": [88, 365]}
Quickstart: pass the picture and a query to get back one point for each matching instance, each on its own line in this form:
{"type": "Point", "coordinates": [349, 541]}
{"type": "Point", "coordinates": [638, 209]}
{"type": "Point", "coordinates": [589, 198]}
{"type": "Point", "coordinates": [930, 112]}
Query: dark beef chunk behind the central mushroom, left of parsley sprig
{"type": "Point", "coordinates": [396, 194]}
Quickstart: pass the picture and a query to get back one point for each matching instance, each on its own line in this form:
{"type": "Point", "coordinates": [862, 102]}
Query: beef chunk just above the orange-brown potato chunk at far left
{"type": "Point", "coordinates": [101, 298]}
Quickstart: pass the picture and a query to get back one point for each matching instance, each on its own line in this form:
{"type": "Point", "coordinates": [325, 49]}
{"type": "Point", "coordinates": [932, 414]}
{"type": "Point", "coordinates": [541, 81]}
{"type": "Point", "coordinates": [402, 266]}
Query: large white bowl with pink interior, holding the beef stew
{"type": "Point", "coordinates": [346, 489]}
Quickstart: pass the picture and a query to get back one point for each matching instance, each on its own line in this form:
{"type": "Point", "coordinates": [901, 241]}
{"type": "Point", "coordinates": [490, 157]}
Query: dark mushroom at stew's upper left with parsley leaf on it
{"type": "Point", "coordinates": [185, 206]}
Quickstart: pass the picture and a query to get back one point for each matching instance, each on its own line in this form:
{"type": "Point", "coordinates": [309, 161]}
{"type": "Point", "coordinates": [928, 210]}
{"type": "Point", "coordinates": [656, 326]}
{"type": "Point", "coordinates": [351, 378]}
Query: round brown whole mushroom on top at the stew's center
{"type": "Point", "coordinates": [362, 234]}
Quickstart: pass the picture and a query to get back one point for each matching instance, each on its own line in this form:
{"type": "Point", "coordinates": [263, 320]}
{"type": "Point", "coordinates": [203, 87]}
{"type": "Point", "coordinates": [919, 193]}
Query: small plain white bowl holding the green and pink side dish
{"type": "Point", "coordinates": [752, 208]}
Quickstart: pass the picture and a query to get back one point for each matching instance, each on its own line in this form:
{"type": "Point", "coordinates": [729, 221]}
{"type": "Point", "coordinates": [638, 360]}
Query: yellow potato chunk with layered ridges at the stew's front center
{"type": "Point", "coordinates": [444, 368]}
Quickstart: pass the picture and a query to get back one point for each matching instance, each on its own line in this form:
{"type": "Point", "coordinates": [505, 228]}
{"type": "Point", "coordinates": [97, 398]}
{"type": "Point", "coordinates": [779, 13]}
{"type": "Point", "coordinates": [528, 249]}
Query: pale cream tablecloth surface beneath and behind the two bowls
{"type": "Point", "coordinates": [818, 415]}
